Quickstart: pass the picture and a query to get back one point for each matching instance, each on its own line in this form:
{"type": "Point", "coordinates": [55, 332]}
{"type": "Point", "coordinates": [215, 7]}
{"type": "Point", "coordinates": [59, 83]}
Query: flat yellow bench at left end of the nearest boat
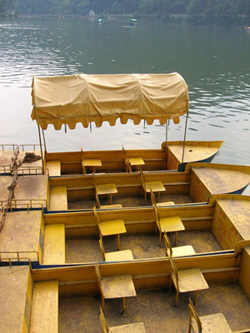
{"type": "Point", "coordinates": [44, 314]}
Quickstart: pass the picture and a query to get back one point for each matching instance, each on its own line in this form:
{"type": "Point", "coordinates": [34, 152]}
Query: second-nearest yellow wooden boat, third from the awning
{"type": "Point", "coordinates": [73, 237]}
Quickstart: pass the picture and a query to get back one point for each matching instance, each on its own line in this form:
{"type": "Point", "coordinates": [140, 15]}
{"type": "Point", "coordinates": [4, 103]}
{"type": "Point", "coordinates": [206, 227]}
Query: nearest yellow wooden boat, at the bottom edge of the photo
{"type": "Point", "coordinates": [67, 298]}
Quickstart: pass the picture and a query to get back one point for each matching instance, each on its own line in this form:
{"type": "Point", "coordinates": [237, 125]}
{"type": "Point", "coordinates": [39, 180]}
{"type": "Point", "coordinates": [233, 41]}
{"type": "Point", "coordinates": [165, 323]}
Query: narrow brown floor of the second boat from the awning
{"type": "Point", "coordinates": [129, 201]}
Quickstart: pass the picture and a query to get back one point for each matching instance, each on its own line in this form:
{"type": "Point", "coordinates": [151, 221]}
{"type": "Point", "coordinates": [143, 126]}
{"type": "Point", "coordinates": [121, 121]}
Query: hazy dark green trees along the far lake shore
{"type": "Point", "coordinates": [199, 11]}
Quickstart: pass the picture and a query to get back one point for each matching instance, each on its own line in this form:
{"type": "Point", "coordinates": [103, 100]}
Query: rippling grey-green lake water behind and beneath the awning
{"type": "Point", "coordinates": [214, 61]}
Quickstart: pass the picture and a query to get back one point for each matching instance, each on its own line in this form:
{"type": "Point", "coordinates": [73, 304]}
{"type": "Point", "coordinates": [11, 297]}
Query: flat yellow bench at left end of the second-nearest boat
{"type": "Point", "coordinates": [54, 244]}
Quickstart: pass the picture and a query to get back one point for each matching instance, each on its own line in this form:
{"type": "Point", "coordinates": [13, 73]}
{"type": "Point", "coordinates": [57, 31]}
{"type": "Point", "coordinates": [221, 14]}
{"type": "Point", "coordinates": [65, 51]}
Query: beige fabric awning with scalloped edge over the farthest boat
{"type": "Point", "coordinates": [86, 98]}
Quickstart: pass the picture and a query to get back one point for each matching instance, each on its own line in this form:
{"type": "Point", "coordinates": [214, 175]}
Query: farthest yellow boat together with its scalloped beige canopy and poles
{"type": "Point", "coordinates": [100, 98]}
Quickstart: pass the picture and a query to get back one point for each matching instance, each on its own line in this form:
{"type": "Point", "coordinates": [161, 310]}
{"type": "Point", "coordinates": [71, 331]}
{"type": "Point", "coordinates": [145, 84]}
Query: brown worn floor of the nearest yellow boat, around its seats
{"type": "Point", "coordinates": [156, 309]}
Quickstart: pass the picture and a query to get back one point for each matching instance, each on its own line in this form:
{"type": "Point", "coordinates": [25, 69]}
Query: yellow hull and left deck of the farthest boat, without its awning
{"type": "Point", "coordinates": [169, 157]}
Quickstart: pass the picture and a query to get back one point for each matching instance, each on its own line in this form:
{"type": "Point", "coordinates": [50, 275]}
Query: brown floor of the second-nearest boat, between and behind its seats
{"type": "Point", "coordinates": [86, 249]}
